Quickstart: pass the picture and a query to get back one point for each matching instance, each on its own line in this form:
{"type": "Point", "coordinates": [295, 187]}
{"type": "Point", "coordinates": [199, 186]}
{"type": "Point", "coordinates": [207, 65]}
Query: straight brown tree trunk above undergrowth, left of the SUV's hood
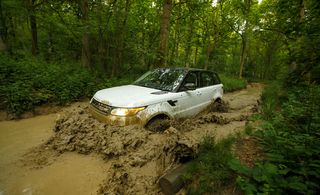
{"type": "Point", "coordinates": [85, 55]}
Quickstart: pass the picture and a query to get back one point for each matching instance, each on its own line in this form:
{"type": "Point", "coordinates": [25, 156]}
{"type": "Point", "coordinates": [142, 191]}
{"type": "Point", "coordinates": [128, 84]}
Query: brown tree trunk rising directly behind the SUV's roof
{"type": "Point", "coordinates": [164, 32]}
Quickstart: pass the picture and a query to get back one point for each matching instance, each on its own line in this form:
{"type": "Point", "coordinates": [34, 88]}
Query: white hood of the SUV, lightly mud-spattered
{"type": "Point", "coordinates": [130, 96]}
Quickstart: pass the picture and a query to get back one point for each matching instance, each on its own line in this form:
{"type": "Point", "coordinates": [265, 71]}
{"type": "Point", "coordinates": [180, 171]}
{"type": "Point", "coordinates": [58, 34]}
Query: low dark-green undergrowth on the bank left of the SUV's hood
{"type": "Point", "coordinates": [28, 83]}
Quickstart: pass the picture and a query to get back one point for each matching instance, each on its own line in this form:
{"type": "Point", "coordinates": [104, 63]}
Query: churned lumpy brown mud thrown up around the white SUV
{"type": "Point", "coordinates": [140, 157]}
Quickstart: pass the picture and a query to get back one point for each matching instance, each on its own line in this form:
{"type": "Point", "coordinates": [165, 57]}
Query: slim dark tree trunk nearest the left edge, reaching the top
{"type": "Point", "coordinates": [33, 27]}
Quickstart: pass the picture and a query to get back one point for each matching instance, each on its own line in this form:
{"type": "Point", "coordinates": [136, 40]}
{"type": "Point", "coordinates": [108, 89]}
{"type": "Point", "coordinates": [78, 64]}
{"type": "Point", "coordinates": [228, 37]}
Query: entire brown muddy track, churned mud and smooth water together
{"type": "Point", "coordinates": [70, 152]}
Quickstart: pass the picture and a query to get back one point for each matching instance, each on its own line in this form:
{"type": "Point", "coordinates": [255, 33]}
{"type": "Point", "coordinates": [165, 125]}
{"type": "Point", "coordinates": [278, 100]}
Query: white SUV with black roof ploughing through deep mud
{"type": "Point", "coordinates": [165, 93]}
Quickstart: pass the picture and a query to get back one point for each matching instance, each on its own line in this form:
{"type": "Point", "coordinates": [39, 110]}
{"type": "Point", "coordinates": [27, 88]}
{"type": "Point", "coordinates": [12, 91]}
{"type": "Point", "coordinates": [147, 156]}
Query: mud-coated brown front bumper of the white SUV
{"type": "Point", "coordinates": [111, 119]}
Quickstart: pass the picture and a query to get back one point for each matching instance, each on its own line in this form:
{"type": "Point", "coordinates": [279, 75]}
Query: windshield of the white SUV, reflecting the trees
{"type": "Point", "coordinates": [163, 79]}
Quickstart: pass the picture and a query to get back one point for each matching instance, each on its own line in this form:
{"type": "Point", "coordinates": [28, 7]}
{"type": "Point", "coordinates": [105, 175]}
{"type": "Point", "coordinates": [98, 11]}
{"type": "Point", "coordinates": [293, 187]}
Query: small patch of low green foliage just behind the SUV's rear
{"type": "Point", "coordinates": [232, 84]}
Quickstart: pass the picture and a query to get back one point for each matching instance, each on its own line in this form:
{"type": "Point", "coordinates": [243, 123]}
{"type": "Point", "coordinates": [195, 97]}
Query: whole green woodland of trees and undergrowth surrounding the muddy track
{"type": "Point", "coordinates": [57, 51]}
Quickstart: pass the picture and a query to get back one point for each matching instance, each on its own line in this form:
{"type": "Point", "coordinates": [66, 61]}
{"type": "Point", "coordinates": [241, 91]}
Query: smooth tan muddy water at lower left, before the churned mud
{"type": "Point", "coordinates": [71, 173]}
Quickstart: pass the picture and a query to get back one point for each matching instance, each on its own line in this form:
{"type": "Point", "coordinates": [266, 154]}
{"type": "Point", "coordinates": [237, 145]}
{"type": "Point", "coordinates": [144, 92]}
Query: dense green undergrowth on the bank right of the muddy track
{"type": "Point", "coordinates": [290, 141]}
